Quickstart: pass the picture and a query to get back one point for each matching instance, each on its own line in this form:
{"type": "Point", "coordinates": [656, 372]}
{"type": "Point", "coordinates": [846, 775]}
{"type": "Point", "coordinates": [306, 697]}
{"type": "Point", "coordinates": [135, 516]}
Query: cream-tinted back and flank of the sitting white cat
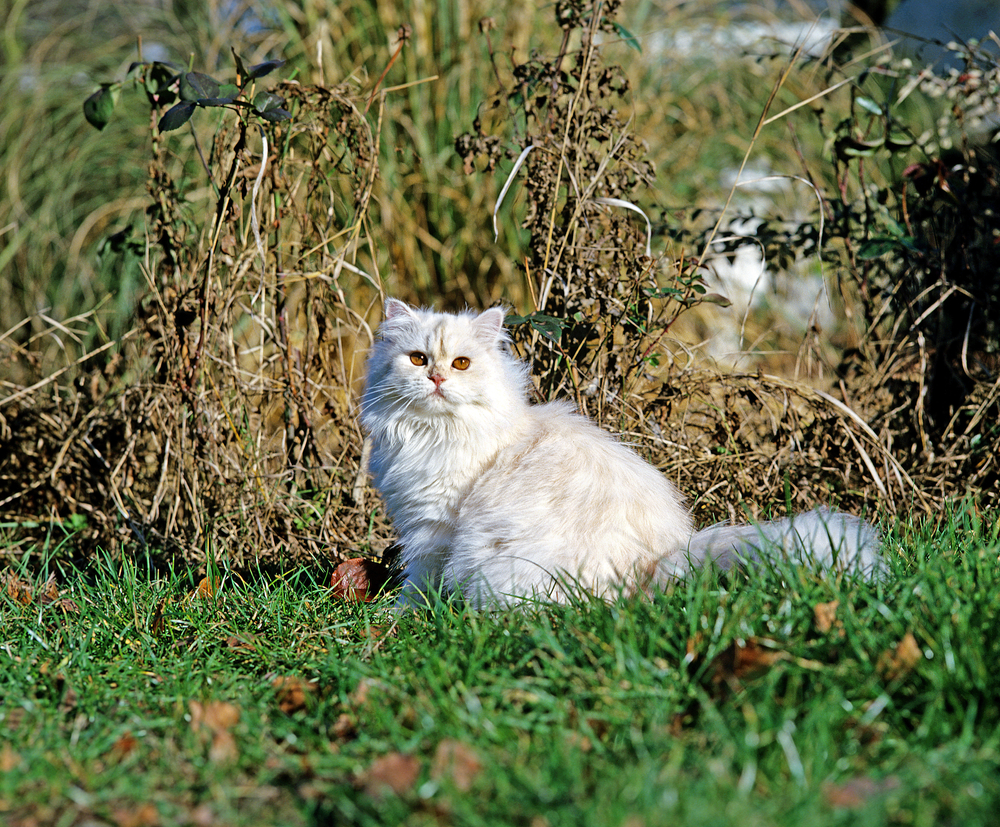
{"type": "Point", "coordinates": [566, 497]}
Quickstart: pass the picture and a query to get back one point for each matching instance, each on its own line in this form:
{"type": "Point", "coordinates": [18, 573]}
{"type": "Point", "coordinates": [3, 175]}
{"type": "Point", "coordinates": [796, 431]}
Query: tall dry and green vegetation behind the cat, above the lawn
{"type": "Point", "coordinates": [169, 382]}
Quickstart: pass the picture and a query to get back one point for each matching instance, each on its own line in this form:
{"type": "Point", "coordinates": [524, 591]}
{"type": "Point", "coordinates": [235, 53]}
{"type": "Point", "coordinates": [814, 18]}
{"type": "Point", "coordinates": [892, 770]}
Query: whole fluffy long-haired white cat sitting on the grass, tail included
{"type": "Point", "coordinates": [502, 500]}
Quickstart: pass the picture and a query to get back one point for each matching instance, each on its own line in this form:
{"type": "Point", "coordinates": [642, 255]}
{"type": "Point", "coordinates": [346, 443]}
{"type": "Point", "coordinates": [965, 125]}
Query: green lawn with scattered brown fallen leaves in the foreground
{"type": "Point", "coordinates": [589, 714]}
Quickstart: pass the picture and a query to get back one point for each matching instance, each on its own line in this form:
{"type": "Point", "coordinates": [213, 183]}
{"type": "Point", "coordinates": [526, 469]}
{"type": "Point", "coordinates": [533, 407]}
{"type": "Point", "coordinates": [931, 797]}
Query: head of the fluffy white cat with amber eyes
{"type": "Point", "coordinates": [428, 364]}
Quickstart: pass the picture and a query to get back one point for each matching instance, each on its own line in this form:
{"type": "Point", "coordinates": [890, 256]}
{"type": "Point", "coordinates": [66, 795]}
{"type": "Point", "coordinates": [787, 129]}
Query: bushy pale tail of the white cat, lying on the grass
{"type": "Point", "coordinates": [821, 539]}
